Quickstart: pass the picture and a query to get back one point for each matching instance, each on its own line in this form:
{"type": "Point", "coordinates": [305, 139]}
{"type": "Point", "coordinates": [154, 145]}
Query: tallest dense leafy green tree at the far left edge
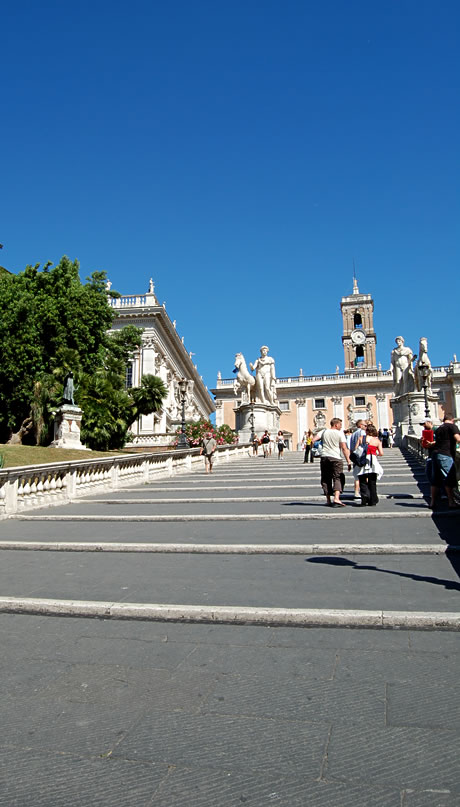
{"type": "Point", "coordinates": [51, 322]}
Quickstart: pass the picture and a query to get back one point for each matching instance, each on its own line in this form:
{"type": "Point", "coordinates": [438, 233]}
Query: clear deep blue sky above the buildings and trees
{"type": "Point", "coordinates": [242, 153]}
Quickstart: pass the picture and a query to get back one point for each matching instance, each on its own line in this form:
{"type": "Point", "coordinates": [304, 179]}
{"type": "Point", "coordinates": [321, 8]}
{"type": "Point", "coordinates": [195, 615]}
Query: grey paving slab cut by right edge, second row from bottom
{"type": "Point", "coordinates": [394, 757]}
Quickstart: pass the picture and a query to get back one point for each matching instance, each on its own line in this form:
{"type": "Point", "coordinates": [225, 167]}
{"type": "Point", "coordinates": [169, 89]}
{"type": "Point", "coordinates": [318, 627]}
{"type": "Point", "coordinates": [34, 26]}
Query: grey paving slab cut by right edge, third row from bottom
{"type": "Point", "coordinates": [431, 706]}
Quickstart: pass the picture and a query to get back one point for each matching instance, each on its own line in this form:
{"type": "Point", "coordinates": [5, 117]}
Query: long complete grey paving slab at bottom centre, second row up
{"type": "Point", "coordinates": [290, 748]}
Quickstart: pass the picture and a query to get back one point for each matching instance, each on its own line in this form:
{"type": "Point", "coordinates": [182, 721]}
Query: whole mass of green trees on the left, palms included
{"type": "Point", "coordinates": [51, 323]}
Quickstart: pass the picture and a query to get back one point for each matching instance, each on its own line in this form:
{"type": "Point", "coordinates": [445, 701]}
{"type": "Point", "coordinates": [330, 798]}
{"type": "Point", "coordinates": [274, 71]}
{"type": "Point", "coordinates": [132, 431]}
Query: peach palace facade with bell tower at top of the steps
{"type": "Point", "coordinates": [364, 390]}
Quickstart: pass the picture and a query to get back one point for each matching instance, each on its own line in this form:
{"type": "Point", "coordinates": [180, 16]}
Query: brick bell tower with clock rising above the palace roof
{"type": "Point", "coordinates": [358, 337]}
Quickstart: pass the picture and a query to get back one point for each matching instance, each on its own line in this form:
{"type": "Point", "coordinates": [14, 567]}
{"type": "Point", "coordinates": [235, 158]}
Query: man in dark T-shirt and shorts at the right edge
{"type": "Point", "coordinates": [444, 447]}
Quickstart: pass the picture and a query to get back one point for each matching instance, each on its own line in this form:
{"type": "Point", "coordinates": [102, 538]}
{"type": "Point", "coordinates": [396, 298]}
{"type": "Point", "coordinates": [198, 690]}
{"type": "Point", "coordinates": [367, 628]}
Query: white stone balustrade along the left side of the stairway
{"type": "Point", "coordinates": [28, 487]}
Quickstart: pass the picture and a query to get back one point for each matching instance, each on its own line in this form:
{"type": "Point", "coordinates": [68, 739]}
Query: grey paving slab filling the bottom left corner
{"type": "Point", "coordinates": [30, 778]}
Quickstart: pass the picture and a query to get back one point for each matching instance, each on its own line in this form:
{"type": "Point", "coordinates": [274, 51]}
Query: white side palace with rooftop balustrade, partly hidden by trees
{"type": "Point", "coordinates": [162, 353]}
